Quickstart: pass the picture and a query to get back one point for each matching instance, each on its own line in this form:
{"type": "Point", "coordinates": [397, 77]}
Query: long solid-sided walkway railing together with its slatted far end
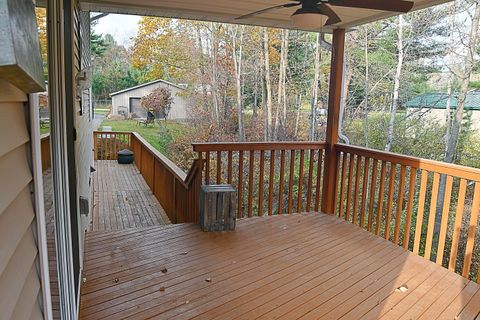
{"type": "Point", "coordinates": [176, 191]}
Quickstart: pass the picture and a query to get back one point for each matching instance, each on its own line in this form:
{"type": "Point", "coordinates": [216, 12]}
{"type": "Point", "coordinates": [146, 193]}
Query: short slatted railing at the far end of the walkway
{"type": "Point", "coordinates": [107, 144]}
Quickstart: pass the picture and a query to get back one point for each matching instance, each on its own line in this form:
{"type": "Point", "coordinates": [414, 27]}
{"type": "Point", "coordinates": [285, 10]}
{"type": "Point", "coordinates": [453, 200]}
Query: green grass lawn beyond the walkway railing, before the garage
{"type": "Point", "coordinates": [159, 136]}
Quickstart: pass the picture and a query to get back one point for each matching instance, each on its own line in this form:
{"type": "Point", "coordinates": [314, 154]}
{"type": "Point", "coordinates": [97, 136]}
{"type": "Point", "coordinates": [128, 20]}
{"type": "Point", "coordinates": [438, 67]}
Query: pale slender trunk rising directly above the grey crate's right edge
{"type": "Point", "coordinates": [237, 61]}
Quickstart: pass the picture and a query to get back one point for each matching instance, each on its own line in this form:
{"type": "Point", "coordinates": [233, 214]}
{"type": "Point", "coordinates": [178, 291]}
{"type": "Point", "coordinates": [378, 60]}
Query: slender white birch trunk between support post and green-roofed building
{"type": "Point", "coordinates": [396, 84]}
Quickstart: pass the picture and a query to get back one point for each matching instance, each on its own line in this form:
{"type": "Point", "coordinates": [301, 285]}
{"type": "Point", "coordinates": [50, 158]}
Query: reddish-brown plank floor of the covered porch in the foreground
{"type": "Point", "coordinates": [278, 267]}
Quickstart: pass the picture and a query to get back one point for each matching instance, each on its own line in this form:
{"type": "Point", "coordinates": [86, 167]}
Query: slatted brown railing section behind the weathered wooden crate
{"type": "Point", "coordinates": [270, 178]}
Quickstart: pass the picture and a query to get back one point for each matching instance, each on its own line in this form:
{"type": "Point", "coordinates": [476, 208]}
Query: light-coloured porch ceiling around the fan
{"type": "Point", "coordinates": [227, 10]}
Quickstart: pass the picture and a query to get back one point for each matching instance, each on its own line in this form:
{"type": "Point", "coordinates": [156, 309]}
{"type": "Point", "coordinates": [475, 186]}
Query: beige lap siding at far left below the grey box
{"type": "Point", "coordinates": [20, 295]}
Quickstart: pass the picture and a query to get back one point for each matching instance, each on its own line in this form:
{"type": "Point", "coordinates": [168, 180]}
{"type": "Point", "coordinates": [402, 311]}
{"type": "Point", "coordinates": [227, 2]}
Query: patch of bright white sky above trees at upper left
{"type": "Point", "coordinates": [121, 27]}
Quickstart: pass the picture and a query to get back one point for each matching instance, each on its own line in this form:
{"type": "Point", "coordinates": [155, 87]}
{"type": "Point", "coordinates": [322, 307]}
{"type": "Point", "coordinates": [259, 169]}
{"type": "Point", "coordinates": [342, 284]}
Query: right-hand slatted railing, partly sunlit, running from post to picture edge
{"type": "Point", "coordinates": [428, 207]}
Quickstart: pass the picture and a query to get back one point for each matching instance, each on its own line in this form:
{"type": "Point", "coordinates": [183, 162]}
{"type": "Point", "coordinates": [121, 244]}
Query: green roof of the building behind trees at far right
{"type": "Point", "coordinates": [439, 101]}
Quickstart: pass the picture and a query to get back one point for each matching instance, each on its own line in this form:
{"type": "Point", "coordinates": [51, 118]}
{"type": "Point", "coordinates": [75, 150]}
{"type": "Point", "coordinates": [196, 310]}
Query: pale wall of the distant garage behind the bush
{"type": "Point", "coordinates": [120, 102]}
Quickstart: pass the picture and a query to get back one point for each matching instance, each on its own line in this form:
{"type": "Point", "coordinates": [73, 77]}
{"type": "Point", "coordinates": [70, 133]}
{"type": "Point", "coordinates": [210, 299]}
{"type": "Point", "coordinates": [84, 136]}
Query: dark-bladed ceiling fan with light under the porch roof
{"type": "Point", "coordinates": [314, 14]}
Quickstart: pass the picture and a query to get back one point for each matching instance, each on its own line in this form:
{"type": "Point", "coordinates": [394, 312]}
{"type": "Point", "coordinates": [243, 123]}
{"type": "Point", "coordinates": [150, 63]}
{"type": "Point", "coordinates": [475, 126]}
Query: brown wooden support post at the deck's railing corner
{"type": "Point", "coordinates": [334, 100]}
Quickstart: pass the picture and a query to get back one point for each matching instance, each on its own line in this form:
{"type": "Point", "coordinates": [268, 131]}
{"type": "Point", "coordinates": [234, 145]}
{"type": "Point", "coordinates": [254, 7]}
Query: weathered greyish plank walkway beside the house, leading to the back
{"type": "Point", "coordinates": [122, 199]}
